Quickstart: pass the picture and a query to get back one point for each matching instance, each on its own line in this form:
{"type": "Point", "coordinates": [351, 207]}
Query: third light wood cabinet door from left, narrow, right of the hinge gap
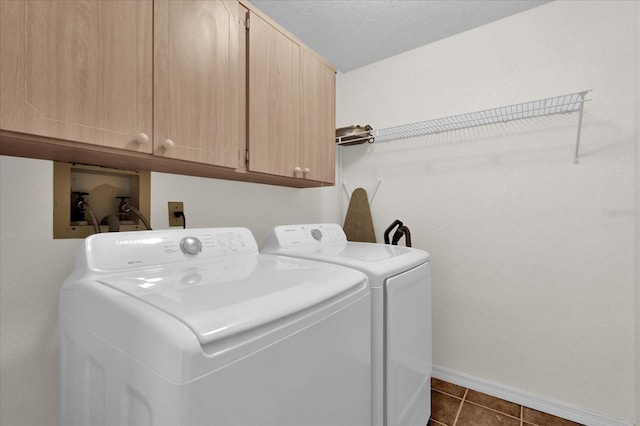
{"type": "Point", "coordinates": [273, 100]}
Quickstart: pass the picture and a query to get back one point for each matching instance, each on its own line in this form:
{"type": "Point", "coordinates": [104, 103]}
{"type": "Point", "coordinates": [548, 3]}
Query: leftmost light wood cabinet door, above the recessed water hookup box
{"type": "Point", "coordinates": [77, 70]}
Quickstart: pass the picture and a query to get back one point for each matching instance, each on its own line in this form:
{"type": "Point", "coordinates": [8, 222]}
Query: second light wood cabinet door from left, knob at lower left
{"type": "Point", "coordinates": [197, 81]}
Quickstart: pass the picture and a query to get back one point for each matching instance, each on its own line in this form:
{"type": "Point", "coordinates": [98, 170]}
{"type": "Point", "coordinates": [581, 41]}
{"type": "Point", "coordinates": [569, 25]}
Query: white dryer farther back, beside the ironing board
{"type": "Point", "coordinates": [400, 281]}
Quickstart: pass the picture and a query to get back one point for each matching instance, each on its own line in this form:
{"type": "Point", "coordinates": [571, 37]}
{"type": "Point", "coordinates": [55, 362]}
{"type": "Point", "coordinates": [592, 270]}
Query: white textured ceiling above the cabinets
{"type": "Point", "coordinates": [354, 33]}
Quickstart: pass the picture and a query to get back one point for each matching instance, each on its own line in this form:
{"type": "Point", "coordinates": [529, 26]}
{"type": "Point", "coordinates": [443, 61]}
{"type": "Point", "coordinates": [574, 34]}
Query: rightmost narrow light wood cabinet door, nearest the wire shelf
{"type": "Point", "coordinates": [318, 119]}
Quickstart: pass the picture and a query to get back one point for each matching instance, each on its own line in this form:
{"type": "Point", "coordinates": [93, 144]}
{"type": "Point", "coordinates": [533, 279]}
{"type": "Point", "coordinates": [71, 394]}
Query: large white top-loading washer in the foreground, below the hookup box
{"type": "Point", "coordinates": [195, 327]}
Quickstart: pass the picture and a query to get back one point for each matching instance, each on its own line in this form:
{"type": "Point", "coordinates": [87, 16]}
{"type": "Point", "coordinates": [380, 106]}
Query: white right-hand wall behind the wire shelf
{"type": "Point", "coordinates": [533, 257]}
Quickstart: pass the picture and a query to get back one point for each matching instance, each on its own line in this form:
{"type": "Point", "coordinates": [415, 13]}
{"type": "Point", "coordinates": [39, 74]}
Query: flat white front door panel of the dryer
{"type": "Point", "coordinates": [408, 347]}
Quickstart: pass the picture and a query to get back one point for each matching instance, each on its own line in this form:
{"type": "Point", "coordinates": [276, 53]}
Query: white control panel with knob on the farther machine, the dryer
{"type": "Point", "coordinates": [292, 236]}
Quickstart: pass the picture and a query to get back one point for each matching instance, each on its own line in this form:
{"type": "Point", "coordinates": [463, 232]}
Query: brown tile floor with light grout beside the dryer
{"type": "Point", "coordinates": [453, 405]}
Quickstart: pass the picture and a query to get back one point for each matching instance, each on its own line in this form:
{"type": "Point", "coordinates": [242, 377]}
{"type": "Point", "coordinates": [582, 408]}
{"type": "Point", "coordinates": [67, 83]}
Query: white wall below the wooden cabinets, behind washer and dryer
{"type": "Point", "coordinates": [33, 265]}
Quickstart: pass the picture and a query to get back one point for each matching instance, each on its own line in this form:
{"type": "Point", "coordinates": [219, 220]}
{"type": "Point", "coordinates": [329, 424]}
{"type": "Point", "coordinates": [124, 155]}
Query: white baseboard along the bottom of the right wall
{"type": "Point", "coordinates": [540, 403]}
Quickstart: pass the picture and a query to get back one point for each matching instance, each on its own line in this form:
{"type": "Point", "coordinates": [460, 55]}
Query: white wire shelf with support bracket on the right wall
{"type": "Point", "coordinates": [563, 104]}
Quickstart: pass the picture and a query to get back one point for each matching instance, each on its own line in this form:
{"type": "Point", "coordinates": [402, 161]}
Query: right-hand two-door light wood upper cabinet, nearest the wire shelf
{"type": "Point", "coordinates": [291, 95]}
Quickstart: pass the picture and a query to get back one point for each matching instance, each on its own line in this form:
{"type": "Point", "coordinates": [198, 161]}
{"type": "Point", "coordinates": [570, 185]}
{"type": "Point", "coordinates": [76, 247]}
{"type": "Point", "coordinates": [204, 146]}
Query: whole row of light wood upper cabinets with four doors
{"type": "Point", "coordinates": [151, 81]}
